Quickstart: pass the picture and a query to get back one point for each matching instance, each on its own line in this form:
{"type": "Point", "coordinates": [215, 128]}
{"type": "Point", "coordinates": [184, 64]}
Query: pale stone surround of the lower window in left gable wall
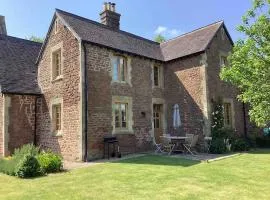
{"type": "Point", "coordinates": [56, 102]}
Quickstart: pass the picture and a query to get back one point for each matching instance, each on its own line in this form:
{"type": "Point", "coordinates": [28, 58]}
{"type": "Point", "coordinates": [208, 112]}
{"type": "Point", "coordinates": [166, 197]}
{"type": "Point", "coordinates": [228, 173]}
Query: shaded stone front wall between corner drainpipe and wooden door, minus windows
{"type": "Point", "coordinates": [100, 93]}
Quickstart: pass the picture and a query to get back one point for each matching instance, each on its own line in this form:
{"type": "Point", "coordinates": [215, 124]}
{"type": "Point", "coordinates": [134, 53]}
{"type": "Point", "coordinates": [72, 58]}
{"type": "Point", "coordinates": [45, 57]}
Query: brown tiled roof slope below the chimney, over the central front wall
{"type": "Point", "coordinates": [98, 33]}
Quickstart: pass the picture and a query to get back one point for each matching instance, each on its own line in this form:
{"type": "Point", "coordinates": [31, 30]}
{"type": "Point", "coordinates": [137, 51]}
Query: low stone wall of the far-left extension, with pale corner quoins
{"type": "Point", "coordinates": [17, 122]}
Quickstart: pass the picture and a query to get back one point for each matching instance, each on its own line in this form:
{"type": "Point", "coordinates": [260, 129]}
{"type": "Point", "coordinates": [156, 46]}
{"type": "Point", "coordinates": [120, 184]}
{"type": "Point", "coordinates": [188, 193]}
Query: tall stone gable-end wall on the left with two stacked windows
{"type": "Point", "coordinates": [67, 89]}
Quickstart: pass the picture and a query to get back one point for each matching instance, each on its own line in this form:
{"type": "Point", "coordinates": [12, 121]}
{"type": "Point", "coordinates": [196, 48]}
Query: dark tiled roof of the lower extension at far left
{"type": "Point", "coordinates": [18, 72]}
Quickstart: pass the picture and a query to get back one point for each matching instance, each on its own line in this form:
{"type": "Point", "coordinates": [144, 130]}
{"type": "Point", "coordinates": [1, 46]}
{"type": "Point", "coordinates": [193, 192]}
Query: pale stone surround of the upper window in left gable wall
{"type": "Point", "coordinates": [54, 50]}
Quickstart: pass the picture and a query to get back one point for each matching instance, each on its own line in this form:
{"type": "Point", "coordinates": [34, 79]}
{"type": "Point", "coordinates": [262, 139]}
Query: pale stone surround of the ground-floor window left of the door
{"type": "Point", "coordinates": [129, 115]}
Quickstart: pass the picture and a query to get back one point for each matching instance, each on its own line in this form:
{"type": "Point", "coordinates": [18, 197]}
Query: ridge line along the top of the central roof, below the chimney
{"type": "Point", "coordinates": [104, 26]}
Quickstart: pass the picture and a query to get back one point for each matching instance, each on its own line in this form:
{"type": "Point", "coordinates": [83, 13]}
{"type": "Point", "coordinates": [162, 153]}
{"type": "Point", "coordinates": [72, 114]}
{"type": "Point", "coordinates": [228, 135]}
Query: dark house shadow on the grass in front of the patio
{"type": "Point", "coordinates": [159, 160]}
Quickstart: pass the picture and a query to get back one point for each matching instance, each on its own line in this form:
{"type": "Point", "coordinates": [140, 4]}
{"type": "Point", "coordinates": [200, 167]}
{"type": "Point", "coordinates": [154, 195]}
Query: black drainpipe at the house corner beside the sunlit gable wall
{"type": "Point", "coordinates": [85, 105]}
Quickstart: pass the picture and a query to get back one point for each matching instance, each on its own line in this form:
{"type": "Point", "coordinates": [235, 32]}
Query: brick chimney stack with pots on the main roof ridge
{"type": "Point", "coordinates": [109, 17]}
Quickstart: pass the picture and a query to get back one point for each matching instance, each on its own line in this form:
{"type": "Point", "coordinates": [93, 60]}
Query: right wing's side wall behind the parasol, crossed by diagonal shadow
{"type": "Point", "coordinates": [183, 86]}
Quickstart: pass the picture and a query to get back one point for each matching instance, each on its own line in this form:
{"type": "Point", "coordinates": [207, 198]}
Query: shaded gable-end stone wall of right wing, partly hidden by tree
{"type": "Point", "coordinates": [217, 88]}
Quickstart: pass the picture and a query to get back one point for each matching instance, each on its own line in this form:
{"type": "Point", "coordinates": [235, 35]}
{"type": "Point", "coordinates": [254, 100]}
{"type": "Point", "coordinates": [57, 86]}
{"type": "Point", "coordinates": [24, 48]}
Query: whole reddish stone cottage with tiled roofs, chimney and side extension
{"type": "Point", "coordinates": [90, 79]}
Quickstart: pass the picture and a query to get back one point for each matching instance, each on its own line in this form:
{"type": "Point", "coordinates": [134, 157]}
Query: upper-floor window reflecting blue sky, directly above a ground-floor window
{"type": "Point", "coordinates": [119, 64]}
